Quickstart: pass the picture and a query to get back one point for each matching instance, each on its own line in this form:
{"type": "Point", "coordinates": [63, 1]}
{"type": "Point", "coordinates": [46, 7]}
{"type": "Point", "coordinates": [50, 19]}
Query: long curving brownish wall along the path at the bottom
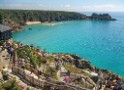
{"type": "Point", "coordinates": [43, 83]}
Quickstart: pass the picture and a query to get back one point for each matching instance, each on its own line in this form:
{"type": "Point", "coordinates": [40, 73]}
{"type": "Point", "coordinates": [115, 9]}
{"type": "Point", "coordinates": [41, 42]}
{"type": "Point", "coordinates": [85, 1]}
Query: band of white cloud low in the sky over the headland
{"type": "Point", "coordinates": [64, 7]}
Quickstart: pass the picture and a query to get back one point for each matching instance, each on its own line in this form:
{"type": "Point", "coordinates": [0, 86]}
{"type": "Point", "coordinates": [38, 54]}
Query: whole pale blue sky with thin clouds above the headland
{"type": "Point", "coordinates": [65, 5]}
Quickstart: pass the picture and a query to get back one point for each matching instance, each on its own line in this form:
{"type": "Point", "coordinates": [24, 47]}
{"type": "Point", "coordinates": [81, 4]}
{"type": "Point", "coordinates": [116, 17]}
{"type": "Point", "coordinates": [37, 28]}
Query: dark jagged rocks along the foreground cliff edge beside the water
{"type": "Point", "coordinates": [85, 64]}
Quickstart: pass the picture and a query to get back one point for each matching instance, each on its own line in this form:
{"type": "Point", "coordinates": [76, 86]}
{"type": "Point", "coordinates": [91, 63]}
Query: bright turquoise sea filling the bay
{"type": "Point", "coordinates": [101, 42]}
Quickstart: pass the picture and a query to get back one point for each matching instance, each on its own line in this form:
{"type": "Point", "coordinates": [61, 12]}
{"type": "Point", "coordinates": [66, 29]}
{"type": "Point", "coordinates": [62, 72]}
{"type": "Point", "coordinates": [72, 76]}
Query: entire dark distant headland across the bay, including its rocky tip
{"type": "Point", "coordinates": [17, 18]}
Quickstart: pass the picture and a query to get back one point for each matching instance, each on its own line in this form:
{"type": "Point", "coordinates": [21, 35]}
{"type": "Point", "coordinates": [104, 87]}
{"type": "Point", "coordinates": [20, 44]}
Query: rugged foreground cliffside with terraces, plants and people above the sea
{"type": "Point", "coordinates": [51, 70]}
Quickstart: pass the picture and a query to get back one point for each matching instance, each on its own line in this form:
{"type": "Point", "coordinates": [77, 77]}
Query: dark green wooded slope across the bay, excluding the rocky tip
{"type": "Point", "coordinates": [17, 18]}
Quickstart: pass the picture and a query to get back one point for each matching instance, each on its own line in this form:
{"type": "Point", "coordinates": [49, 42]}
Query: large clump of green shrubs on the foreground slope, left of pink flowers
{"type": "Point", "coordinates": [31, 56]}
